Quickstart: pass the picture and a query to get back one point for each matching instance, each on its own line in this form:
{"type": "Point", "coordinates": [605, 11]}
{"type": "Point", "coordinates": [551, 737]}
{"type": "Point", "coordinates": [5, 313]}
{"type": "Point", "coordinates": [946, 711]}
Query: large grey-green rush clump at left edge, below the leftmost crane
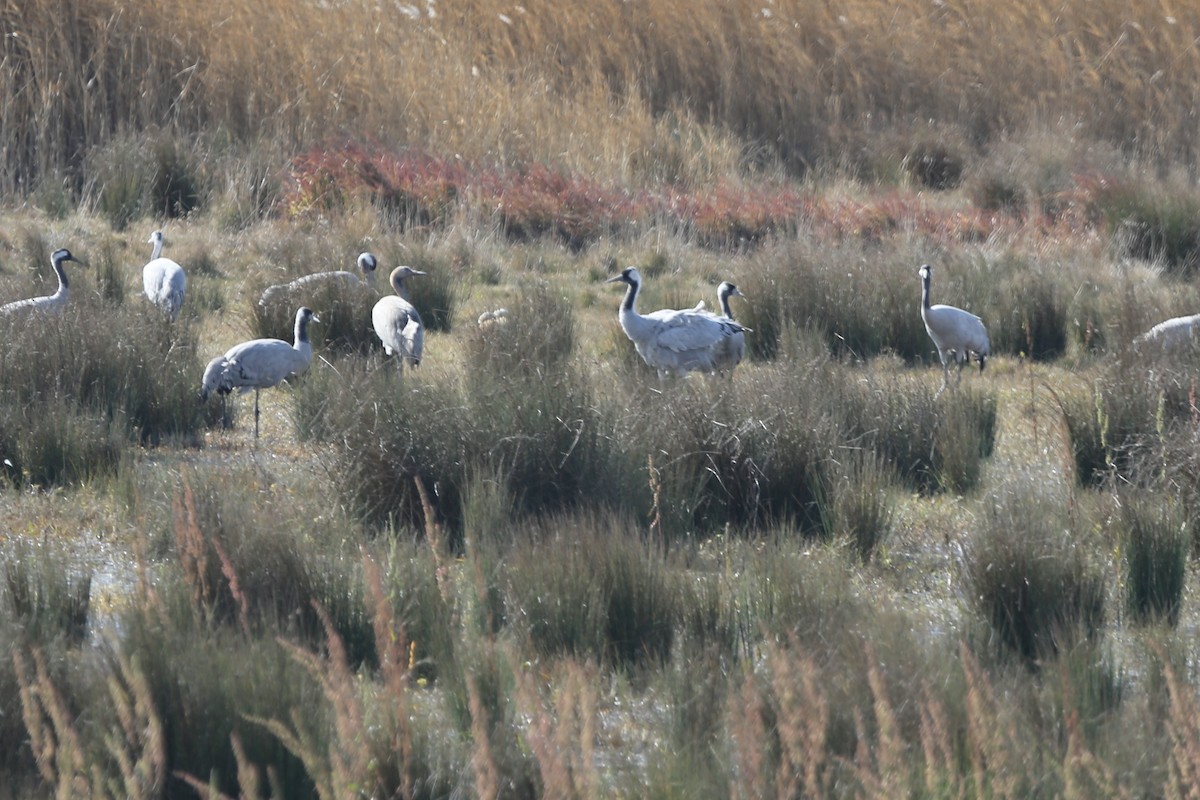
{"type": "Point", "coordinates": [79, 386]}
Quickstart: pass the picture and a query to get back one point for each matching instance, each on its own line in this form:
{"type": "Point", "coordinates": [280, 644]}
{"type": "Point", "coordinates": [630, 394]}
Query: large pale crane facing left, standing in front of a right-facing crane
{"type": "Point", "coordinates": [673, 341]}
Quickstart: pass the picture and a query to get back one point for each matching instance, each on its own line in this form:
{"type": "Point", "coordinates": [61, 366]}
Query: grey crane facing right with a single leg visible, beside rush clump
{"type": "Point", "coordinates": [260, 364]}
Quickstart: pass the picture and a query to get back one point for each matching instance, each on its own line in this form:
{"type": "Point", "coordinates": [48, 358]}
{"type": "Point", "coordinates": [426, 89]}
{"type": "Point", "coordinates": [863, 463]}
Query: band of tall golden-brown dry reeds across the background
{"type": "Point", "coordinates": [665, 91]}
